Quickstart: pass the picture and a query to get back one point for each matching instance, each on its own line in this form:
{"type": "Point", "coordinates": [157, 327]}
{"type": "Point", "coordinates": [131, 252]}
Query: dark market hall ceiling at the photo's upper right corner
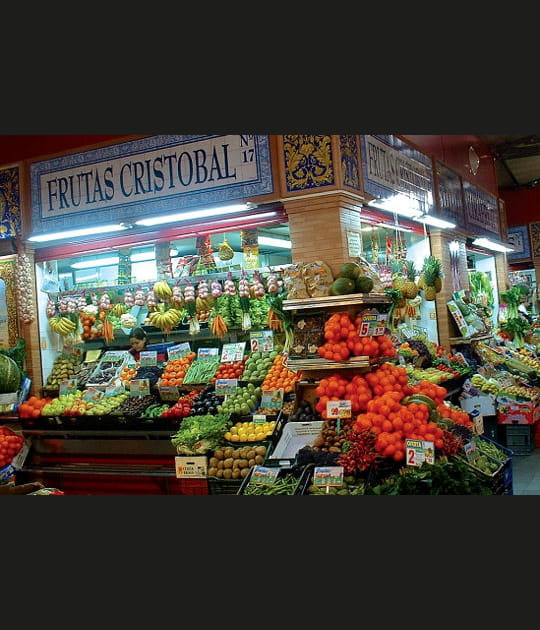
{"type": "Point", "coordinates": [517, 160]}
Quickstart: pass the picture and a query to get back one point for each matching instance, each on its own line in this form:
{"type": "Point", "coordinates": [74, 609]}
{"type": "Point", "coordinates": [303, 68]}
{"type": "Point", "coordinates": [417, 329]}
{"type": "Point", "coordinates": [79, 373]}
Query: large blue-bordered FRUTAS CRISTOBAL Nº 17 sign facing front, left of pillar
{"type": "Point", "coordinates": [147, 177]}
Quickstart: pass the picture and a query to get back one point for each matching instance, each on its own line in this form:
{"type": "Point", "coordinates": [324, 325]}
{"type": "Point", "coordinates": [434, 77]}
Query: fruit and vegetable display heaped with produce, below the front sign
{"type": "Point", "coordinates": [328, 393]}
